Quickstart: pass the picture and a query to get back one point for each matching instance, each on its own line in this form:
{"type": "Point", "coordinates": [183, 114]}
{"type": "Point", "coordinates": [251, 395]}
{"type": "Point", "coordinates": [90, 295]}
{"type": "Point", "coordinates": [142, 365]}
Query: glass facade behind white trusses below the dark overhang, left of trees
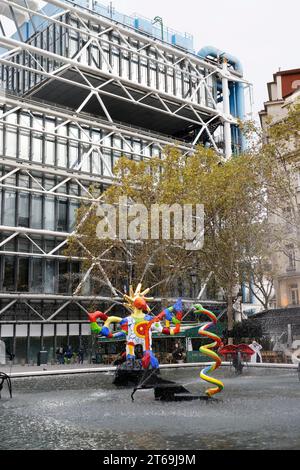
{"type": "Point", "coordinates": [43, 198]}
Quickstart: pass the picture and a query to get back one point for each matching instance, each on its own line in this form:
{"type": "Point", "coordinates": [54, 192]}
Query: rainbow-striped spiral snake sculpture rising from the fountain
{"type": "Point", "coordinates": [207, 351]}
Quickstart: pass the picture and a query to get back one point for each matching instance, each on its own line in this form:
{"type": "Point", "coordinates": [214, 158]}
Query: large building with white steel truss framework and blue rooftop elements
{"type": "Point", "coordinates": [81, 85]}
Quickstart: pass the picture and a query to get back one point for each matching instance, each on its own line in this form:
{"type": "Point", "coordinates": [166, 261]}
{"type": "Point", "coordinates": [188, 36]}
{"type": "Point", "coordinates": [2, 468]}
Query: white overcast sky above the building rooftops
{"type": "Point", "coordinates": [263, 34]}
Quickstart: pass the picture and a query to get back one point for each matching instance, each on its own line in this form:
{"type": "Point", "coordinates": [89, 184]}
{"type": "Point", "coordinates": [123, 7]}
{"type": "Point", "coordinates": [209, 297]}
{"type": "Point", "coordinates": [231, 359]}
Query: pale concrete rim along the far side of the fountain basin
{"type": "Point", "coordinates": [94, 370]}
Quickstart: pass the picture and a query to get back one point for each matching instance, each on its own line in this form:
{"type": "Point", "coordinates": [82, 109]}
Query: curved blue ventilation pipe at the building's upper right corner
{"type": "Point", "coordinates": [237, 97]}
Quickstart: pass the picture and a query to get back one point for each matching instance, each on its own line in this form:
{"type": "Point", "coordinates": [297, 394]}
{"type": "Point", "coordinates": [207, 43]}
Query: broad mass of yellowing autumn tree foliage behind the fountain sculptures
{"type": "Point", "coordinates": [234, 196]}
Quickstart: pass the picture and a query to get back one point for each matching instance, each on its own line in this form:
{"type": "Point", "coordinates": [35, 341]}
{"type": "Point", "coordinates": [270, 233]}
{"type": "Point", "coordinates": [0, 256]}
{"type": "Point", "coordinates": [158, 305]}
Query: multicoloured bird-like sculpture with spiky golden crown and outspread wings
{"type": "Point", "coordinates": [138, 327]}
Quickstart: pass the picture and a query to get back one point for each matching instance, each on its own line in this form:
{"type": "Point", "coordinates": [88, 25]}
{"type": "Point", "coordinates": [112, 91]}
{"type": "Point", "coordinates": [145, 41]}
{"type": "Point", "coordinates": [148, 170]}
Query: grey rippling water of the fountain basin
{"type": "Point", "coordinates": [259, 410]}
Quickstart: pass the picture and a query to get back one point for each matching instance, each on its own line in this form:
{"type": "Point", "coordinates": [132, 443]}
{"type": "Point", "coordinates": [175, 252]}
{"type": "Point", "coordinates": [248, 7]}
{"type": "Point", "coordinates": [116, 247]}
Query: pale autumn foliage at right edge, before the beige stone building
{"type": "Point", "coordinates": [279, 148]}
